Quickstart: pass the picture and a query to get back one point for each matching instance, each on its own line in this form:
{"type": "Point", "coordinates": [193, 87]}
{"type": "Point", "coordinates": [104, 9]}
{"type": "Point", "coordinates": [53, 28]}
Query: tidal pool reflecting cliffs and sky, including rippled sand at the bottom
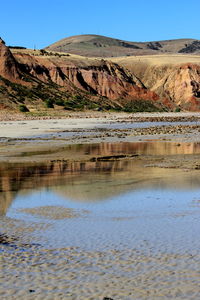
{"type": "Point", "coordinates": [87, 230]}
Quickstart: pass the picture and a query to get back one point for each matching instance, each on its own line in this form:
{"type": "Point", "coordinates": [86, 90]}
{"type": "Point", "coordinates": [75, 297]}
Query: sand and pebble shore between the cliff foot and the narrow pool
{"type": "Point", "coordinates": [46, 140]}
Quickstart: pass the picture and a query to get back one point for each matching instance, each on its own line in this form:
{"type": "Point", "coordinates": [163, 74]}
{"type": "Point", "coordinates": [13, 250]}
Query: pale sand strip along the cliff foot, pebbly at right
{"type": "Point", "coordinates": [20, 126]}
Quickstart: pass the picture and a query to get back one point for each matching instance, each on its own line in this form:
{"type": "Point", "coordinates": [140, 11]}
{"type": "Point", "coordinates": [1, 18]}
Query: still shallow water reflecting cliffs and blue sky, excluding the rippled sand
{"type": "Point", "coordinates": [99, 205]}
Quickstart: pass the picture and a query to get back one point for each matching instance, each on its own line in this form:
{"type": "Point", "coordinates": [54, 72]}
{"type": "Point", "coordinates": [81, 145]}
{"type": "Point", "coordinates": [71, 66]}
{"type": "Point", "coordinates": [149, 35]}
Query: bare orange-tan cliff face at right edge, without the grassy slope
{"type": "Point", "coordinates": [179, 83]}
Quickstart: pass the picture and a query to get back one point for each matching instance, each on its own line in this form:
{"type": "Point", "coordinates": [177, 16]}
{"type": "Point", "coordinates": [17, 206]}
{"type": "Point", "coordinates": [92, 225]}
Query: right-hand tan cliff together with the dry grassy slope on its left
{"type": "Point", "coordinates": [178, 85]}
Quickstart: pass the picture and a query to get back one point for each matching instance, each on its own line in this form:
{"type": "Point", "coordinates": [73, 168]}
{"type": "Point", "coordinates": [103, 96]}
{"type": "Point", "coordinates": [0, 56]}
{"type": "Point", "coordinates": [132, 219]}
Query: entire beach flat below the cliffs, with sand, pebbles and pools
{"type": "Point", "coordinates": [90, 207]}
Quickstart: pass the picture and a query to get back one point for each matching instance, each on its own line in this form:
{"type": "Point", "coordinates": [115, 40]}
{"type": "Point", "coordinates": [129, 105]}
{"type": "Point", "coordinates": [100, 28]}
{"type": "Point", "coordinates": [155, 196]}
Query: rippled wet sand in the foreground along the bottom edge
{"type": "Point", "coordinates": [71, 274]}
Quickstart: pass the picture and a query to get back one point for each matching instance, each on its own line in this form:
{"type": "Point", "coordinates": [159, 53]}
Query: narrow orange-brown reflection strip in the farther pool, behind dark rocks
{"type": "Point", "coordinates": [79, 151]}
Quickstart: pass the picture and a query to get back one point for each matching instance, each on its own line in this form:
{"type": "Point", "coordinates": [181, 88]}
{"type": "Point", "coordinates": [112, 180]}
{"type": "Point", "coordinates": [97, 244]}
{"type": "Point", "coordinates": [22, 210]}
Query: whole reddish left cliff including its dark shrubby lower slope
{"type": "Point", "coordinates": [41, 75]}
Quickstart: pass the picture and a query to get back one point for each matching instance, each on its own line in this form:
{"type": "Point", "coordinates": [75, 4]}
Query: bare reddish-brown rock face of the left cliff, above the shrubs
{"type": "Point", "coordinates": [98, 78]}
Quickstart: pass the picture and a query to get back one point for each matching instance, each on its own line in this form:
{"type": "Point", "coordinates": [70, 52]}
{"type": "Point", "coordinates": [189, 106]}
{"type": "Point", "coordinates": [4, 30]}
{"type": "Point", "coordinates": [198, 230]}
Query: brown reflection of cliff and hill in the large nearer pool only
{"type": "Point", "coordinates": [89, 181]}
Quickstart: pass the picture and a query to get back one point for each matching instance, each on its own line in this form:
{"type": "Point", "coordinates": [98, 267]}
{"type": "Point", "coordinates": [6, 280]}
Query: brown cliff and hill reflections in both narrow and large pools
{"type": "Point", "coordinates": [92, 181]}
